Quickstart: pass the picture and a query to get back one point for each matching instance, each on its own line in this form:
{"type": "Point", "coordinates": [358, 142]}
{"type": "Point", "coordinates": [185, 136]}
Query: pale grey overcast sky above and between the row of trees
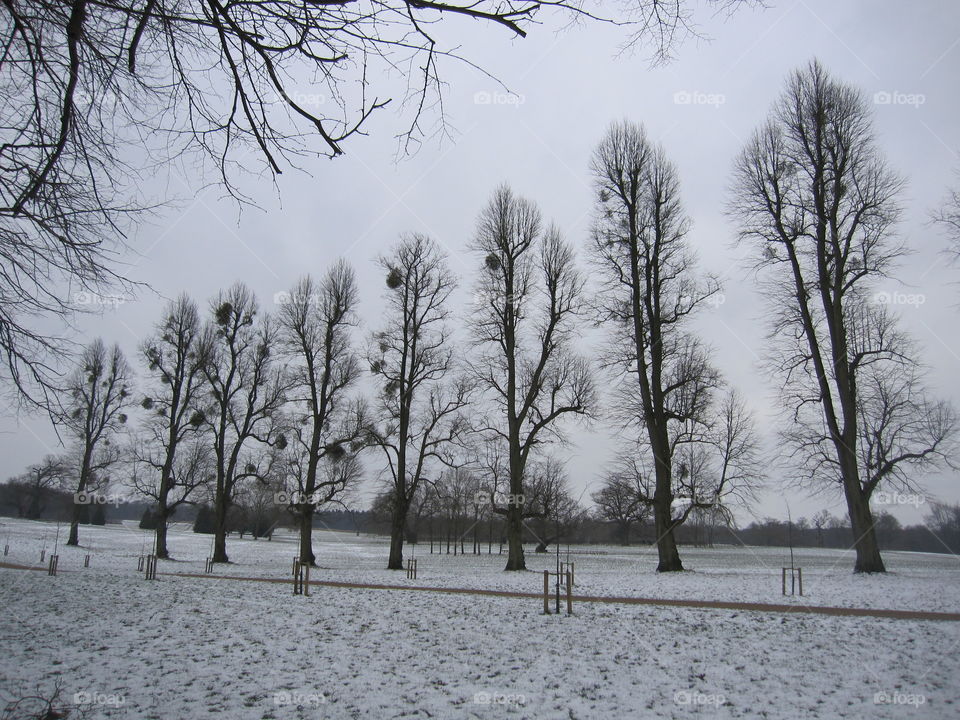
{"type": "Point", "coordinates": [569, 85]}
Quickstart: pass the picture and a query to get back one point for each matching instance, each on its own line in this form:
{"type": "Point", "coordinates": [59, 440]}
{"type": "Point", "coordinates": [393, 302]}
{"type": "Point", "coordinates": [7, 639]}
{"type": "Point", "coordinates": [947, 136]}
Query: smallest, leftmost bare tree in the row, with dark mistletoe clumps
{"type": "Point", "coordinates": [92, 412]}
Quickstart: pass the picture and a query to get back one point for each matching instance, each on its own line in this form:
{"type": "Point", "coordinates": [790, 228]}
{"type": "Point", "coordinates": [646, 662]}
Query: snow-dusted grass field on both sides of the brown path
{"type": "Point", "coordinates": [123, 647]}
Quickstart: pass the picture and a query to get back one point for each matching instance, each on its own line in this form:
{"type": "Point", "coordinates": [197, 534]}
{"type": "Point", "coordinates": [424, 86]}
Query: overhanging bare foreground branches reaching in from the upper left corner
{"type": "Point", "coordinates": [96, 95]}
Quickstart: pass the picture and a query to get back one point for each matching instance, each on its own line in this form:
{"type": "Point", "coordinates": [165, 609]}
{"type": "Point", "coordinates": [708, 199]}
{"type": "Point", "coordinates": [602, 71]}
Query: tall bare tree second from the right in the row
{"type": "Point", "coordinates": [649, 291]}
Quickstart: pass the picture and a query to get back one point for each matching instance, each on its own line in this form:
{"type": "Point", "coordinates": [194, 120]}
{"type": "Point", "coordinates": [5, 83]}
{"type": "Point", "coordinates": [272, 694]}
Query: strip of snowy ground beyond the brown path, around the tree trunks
{"type": "Point", "coordinates": [916, 581]}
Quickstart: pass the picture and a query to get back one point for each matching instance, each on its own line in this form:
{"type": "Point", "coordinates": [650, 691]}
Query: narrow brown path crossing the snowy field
{"type": "Point", "coordinates": [662, 602]}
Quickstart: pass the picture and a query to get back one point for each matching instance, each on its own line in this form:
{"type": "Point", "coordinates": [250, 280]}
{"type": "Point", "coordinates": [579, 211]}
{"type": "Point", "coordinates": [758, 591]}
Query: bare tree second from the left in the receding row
{"type": "Point", "coordinates": [174, 362]}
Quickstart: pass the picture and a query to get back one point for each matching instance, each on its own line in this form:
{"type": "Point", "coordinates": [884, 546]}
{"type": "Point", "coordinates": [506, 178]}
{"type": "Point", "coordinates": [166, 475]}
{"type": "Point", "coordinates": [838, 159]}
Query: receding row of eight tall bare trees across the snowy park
{"type": "Point", "coordinates": [244, 395]}
